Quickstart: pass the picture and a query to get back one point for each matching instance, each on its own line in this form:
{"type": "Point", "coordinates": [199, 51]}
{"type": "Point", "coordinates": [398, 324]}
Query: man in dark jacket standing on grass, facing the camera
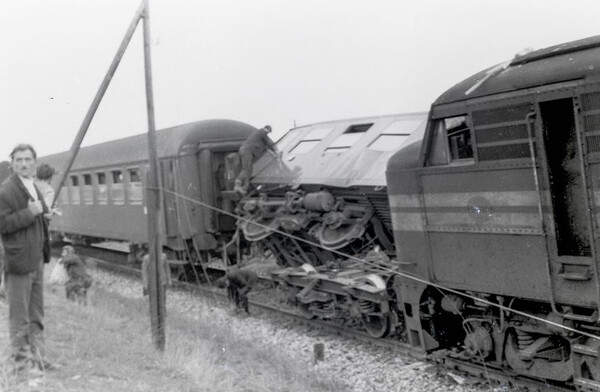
{"type": "Point", "coordinates": [24, 233]}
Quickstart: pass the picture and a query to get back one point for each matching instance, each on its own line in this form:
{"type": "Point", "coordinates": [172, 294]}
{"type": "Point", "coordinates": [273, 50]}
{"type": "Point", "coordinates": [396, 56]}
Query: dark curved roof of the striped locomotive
{"type": "Point", "coordinates": [568, 61]}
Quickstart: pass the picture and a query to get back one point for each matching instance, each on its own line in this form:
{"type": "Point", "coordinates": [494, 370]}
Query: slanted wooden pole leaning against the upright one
{"type": "Point", "coordinates": [96, 102]}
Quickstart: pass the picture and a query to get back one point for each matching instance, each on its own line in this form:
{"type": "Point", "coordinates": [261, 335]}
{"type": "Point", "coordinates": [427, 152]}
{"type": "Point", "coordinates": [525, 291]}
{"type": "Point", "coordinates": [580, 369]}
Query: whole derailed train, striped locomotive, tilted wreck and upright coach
{"type": "Point", "coordinates": [488, 212]}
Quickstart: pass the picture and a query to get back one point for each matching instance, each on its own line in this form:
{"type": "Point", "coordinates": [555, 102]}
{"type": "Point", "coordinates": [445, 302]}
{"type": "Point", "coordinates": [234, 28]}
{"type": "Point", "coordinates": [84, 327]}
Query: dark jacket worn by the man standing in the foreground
{"type": "Point", "coordinates": [25, 236]}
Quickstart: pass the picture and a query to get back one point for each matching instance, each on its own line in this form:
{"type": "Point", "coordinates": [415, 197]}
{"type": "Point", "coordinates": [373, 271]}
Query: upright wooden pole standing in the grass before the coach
{"type": "Point", "coordinates": [156, 290]}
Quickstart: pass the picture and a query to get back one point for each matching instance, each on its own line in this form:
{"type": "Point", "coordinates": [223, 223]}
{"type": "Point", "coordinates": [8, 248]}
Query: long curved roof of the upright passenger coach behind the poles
{"type": "Point", "coordinates": [168, 143]}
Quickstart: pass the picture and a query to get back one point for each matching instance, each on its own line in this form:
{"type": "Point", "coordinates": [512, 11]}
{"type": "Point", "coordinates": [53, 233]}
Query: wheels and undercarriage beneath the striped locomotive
{"type": "Point", "coordinates": [498, 331]}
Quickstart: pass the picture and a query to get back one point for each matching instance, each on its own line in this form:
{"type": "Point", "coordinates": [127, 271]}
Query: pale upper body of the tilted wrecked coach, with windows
{"type": "Point", "coordinates": [346, 155]}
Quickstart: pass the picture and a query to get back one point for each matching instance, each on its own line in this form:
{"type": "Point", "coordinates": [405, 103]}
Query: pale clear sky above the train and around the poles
{"type": "Point", "coordinates": [277, 62]}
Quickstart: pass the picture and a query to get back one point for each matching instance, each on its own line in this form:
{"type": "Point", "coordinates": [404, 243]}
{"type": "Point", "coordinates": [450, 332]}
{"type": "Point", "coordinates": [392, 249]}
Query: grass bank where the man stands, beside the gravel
{"type": "Point", "coordinates": [106, 346]}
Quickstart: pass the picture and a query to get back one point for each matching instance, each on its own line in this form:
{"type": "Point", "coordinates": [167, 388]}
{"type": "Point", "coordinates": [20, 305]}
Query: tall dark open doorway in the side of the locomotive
{"type": "Point", "coordinates": [568, 224]}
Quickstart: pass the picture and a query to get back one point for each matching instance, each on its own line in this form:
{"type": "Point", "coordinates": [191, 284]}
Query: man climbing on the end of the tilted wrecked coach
{"type": "Point", "coordinates": [251, 149]}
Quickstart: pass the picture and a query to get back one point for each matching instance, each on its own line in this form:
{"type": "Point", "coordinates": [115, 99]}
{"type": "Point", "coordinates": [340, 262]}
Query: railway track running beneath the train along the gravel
{"type": "Point", "coordinates": [444, 359]}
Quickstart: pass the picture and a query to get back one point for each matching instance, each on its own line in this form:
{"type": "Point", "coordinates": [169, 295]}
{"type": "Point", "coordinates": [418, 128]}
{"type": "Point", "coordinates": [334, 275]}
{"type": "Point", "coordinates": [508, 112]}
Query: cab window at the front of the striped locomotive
{"type": "Point", "coordinates": [451, 142]}
